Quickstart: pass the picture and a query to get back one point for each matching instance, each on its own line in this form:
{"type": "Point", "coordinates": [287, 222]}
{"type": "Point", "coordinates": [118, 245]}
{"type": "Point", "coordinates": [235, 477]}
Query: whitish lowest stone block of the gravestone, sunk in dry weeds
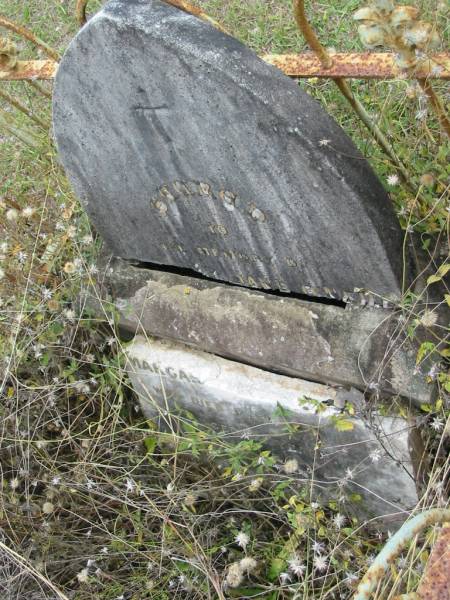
{"type": "Point", "coordinates": [372, 459]}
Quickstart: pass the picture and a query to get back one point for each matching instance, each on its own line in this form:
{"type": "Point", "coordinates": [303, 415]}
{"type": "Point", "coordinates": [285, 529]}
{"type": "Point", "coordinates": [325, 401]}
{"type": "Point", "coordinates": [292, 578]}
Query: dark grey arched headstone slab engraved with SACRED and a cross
{"type": "Point", "coordinates": [188, 150]}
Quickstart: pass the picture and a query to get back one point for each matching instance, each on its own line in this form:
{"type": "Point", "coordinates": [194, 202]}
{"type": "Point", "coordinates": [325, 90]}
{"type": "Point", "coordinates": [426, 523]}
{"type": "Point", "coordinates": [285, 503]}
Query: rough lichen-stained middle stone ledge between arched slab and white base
{"type": "Point", "coordinates": [365, 348]}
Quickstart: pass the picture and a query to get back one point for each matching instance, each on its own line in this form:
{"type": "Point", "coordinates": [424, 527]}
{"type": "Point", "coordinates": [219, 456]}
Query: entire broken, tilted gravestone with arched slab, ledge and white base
{"type": "Point", "coordinates": [205, 167]}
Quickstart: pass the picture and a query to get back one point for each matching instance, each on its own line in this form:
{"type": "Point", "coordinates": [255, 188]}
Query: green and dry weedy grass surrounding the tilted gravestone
{"type": "Point", "coordinates": [85, 479]}
